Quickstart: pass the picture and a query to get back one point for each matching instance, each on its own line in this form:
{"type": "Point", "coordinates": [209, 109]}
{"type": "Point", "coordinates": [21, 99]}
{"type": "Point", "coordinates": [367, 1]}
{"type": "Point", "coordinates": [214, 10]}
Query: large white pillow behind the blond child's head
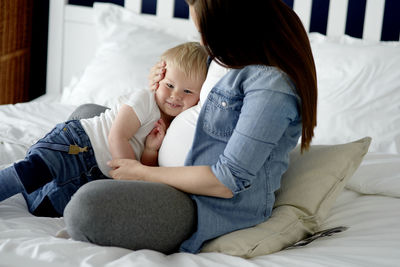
{"type": "Point", "coordinates": [130, 45]}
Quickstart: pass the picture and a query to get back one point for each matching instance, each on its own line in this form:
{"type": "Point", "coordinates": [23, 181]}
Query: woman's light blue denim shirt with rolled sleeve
{"type": "Point", "coordinates": [245, 131]}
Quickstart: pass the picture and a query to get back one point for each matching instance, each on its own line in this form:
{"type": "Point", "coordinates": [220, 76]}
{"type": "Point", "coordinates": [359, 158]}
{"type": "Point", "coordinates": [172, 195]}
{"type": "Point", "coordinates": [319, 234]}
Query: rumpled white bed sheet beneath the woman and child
{"type": "Point", "coordinates": [369, 206]}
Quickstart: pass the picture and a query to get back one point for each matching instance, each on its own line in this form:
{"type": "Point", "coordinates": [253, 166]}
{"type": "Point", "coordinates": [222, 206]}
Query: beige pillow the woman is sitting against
{"type": "Point", "coordinates": [309, 188]}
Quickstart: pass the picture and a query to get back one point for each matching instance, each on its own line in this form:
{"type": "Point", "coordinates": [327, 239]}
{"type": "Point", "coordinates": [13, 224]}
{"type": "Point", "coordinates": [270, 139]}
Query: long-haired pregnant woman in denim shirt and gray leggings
{"type": "Point", "coordinates": [251, 120]}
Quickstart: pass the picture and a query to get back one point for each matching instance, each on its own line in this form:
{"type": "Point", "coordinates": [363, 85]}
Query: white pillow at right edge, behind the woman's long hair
{"type": "Point", "coordinates": [359, 91]}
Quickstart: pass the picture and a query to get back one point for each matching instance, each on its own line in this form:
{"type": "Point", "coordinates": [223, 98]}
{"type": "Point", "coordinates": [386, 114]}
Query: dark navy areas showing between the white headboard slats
{"type": "Point", "coordinates": [319, 15]}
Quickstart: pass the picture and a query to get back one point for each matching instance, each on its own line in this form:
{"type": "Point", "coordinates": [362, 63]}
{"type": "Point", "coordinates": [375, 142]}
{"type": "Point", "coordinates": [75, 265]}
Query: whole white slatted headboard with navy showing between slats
{"type": "Point", "coordinates": [72, 39]}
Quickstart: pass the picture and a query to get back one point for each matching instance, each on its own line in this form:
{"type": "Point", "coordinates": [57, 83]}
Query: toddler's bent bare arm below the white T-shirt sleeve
{"type": "Point", "coordinates": [123, 128]}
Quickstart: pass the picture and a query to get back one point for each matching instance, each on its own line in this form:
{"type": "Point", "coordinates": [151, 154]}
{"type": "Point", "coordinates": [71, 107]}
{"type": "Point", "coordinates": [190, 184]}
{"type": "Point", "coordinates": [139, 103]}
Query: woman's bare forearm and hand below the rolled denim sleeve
{"type": "Point", "coordinates": [198, 180]}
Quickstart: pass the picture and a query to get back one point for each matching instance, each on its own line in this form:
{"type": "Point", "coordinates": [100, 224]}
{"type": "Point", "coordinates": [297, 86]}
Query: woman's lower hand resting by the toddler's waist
{"type": "Point", "coordinates": [124, 169]}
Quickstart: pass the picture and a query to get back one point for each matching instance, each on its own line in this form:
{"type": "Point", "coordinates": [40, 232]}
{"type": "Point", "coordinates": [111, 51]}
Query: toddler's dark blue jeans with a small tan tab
{"type": "Point", "coordinates": [49, 171]}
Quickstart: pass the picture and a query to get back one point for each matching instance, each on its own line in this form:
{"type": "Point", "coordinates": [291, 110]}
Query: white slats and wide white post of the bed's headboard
{"type": "Point", "coordinates": [72, 38]}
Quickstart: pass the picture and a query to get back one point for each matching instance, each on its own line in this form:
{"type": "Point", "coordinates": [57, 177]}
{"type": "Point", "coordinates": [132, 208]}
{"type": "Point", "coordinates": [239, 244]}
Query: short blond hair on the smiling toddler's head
{"type": "Point", "coordinates": [190, 58]}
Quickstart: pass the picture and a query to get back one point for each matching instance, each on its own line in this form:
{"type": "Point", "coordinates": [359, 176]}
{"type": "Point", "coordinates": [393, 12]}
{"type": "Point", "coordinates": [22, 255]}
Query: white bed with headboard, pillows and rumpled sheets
{"type": "Point", "coordinates": [97, 54]}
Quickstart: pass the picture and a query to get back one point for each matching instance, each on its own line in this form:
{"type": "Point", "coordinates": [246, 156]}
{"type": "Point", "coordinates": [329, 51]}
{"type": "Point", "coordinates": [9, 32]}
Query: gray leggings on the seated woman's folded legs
{"type": "Point", "coordinates": [130, 214]}
